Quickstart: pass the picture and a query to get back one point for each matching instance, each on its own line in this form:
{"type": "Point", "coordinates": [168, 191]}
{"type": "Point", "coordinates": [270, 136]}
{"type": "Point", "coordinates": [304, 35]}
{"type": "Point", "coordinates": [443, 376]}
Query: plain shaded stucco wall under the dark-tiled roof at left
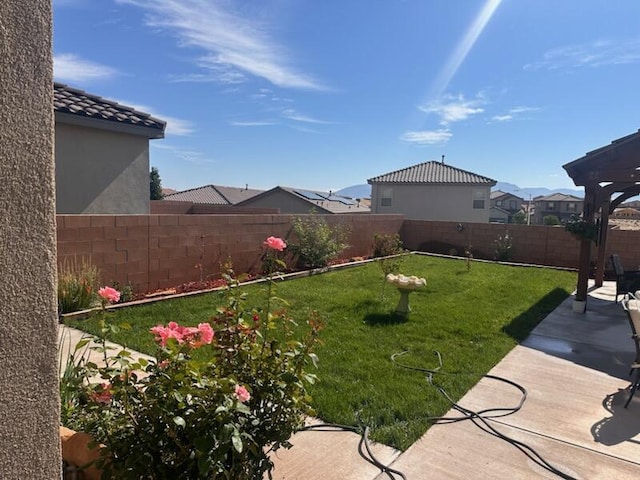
{"type": "Point", "coordinates": [99, 171]}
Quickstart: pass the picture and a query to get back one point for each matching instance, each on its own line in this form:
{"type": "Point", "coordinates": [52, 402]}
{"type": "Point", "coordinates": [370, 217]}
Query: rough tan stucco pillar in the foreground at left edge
{"type": "Point", "coordinates": [29, 398]}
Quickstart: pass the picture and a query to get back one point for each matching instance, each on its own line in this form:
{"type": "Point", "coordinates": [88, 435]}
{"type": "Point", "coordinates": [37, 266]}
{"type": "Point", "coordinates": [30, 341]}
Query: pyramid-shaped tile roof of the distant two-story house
{"type": "Point", "coordinates": [432, 172]}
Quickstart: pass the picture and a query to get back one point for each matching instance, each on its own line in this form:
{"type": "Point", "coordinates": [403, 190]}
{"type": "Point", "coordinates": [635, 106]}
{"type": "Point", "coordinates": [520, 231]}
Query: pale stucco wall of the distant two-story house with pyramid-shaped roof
{"type": "Point", "coordinates": [432, 202]}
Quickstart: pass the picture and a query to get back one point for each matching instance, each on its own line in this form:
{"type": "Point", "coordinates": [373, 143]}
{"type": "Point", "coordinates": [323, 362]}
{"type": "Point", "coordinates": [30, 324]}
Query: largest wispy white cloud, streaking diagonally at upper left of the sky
{"type": "Point", "coordinates": [233, 45]}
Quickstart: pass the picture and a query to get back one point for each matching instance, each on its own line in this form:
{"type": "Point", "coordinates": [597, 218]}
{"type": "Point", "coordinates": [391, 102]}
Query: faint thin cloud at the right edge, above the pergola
{"type": "Point", "coordinates": [595, 54]}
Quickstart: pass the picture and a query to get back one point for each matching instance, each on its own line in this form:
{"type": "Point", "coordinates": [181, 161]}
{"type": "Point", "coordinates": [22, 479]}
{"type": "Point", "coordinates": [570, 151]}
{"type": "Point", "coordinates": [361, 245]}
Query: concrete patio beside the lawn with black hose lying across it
{"type": "Point", "coordinates": [575, 369]}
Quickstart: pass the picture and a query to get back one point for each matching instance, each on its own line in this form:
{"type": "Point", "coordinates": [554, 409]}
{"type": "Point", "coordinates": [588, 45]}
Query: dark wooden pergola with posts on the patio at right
{"type": "Point", "coordinates": [612, 169]}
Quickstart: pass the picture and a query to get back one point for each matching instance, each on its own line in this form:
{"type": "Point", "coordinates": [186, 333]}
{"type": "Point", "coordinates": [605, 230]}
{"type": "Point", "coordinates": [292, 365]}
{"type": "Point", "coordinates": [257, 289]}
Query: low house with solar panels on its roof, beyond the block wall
{"type": "Point", "coordinates": [297, 200]}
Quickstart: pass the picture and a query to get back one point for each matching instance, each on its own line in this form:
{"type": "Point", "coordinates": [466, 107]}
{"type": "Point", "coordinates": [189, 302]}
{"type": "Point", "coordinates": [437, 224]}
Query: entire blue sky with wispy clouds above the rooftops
{"type": "Point", "coordinates": [324, 94]}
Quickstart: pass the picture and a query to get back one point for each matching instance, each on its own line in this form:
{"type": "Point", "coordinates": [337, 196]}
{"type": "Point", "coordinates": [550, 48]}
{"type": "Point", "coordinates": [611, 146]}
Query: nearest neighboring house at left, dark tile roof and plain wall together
{"type": "Point", "coordinates": [101, 154]}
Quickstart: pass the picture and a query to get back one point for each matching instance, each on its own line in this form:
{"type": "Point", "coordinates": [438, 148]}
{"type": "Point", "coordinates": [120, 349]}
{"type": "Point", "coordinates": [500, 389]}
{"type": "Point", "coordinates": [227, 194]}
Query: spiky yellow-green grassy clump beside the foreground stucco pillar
{"type": "Point", "coordinates": [76, 286]}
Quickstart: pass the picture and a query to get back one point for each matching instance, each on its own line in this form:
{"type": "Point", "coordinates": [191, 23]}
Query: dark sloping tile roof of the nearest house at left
{"type": "Point", "coordinates": [80, 103]}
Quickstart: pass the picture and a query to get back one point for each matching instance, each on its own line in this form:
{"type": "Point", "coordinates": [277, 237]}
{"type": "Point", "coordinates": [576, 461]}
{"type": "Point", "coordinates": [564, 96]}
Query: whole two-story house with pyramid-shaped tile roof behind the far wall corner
{"type": "Point", "coordinates": [433, 191]}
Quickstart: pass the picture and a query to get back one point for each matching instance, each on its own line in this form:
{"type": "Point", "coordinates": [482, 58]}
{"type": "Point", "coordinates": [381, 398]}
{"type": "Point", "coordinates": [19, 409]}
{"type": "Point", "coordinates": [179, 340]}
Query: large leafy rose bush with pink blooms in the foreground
{"type": "Point", "coordinates": [181, 417]}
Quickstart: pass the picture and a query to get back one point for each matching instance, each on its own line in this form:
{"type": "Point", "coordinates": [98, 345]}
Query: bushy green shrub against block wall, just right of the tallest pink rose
{"type": "Point", "coordinates": [317, 242]}
